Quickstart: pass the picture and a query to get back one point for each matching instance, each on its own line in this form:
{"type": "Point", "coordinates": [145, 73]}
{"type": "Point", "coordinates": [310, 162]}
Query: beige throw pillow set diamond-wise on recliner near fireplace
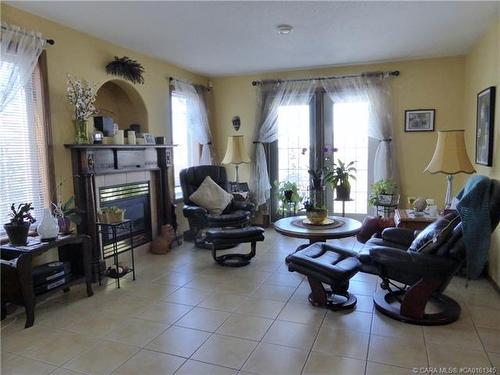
{"type": "Point", "coordinates": [211, 196]}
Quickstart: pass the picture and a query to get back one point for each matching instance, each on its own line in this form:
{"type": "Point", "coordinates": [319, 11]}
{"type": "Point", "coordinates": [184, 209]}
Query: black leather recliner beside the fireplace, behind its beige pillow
{"type": "Point", "coordinates": [237, 214]}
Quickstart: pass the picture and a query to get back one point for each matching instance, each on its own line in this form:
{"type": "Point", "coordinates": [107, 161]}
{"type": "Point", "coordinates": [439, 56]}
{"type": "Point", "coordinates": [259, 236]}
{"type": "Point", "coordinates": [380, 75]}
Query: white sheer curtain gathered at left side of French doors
{"type": "Point", "coordinates": [270, 97]}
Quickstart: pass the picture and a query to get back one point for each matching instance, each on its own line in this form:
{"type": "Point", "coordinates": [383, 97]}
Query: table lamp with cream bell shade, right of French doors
{"type": "Point", "coordinates": [450, 157]}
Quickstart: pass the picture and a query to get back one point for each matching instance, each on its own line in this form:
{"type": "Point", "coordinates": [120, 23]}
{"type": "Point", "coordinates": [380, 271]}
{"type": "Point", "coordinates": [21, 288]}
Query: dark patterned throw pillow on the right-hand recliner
{"type": "Point", "coordinates": [434, 235]}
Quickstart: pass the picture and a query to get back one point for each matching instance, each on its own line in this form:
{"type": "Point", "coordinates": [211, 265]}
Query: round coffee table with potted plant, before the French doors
{"type": "Point", "coordinates": [288, 227]}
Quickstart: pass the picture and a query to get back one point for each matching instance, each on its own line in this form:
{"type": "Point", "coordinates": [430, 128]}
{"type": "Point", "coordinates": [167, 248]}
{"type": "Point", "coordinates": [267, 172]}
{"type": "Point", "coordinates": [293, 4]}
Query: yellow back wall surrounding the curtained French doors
{"type": "Point", "coordinates": [430, 83]}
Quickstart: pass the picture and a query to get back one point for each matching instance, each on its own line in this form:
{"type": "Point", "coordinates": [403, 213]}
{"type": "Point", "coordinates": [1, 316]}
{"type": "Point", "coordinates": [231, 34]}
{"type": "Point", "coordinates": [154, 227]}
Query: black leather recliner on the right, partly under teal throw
{"type": "Point", "coordinates": [416, 267]}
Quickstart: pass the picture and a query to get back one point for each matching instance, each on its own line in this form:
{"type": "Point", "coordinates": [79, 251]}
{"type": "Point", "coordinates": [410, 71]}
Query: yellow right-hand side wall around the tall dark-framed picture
{"type": "Point", "coordinates": [482, 69]}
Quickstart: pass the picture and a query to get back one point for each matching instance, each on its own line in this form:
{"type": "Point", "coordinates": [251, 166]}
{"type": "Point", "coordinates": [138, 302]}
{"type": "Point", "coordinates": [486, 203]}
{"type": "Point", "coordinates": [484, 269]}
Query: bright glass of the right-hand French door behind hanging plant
{"type": "Point", "coordinates": [351, 119]}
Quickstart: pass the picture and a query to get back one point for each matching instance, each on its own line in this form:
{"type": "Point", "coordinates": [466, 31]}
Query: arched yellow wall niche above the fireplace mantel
{"type": "Point", "coordinates": [121, 101]}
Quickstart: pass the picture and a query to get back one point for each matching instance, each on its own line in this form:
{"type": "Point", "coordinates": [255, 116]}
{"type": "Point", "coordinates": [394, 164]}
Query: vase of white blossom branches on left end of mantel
{"type": "Point", "coordinates": [82, 95]}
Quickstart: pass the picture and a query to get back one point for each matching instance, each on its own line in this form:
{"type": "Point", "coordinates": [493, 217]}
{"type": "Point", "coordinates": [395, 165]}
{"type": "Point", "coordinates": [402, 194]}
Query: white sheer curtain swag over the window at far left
{"type": "Point", "coordinates": [20, 50]}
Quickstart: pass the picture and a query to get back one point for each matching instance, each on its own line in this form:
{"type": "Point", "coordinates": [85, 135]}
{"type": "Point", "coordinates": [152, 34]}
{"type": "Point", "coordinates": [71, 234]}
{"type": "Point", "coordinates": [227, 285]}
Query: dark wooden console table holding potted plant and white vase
{"type": "Point", "coordinates": [17, 269]}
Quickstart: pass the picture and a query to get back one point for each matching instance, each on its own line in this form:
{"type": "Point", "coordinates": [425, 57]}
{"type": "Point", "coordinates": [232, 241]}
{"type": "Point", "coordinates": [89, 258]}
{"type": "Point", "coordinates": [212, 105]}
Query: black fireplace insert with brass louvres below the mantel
{"type": "Point", "coordinates": [134, 198]}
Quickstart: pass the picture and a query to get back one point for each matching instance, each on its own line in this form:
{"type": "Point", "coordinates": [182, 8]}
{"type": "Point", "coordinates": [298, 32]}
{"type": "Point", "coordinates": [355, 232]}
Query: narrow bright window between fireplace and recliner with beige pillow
{"type": "Point", "coordinates": [186, 153]}
